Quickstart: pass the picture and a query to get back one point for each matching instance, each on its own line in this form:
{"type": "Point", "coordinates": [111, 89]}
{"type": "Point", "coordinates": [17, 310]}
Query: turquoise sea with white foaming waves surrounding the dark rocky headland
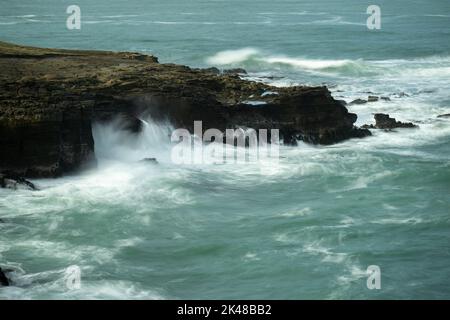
{"type": "Point", "coordinates": [307, 226]}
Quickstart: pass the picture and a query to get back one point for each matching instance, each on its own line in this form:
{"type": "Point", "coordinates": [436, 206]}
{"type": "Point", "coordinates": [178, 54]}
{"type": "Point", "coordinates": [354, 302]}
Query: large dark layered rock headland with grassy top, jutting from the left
{"type": "Point", "coordinates": [49, 99]}
